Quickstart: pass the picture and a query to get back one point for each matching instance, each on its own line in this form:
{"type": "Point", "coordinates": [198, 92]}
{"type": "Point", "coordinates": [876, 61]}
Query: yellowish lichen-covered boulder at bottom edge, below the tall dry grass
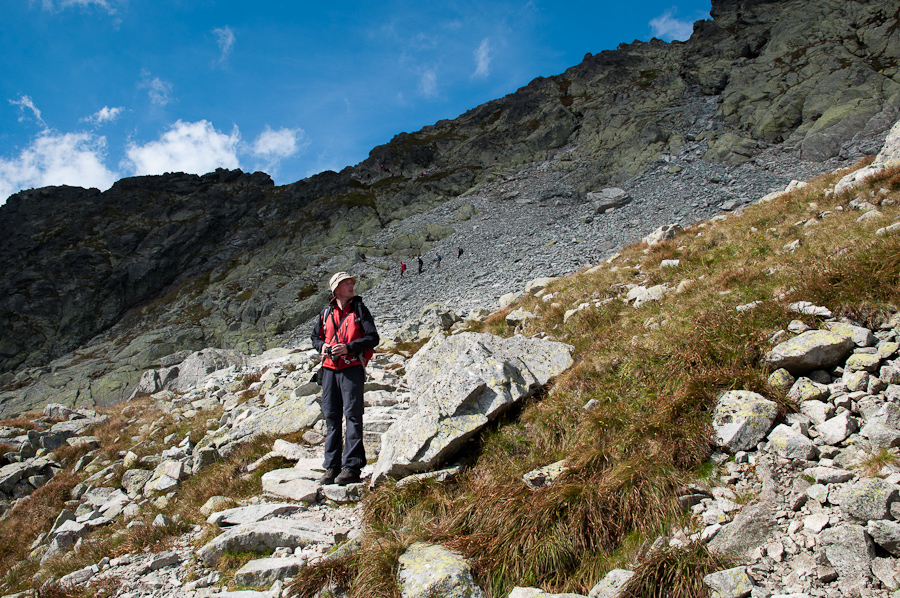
{"type": "Point", "coordinates": [428, 570]}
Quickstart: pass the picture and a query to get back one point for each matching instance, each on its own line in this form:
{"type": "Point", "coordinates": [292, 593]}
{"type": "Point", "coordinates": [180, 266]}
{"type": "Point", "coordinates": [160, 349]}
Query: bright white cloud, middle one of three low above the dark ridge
{"type": "Point", "coordinates": [186, 147]}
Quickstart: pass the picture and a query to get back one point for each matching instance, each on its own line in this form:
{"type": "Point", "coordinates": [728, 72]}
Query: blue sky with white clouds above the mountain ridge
{"type": "Point", "coordinates": [93, 91]}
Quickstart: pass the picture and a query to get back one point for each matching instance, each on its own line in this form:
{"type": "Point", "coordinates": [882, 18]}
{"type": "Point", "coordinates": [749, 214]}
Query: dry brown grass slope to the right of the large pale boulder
{"type": "Point", "coordinates": [655, 389]}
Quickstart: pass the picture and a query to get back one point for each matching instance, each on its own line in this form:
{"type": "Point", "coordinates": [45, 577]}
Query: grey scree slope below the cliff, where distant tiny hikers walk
{"type": "Point", "coordinates": [528, 224]}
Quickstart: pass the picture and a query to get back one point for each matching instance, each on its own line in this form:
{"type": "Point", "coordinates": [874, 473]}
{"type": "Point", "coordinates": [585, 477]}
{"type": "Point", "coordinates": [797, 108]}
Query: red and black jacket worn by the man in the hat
{"type": "Point", "coordinates": [353, 326]}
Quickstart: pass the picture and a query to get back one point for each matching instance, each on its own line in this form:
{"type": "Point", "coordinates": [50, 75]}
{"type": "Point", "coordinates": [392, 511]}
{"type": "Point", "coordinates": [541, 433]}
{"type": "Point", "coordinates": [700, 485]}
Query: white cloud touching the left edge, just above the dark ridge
{"type": "Point", "coordinates": [57, 159]}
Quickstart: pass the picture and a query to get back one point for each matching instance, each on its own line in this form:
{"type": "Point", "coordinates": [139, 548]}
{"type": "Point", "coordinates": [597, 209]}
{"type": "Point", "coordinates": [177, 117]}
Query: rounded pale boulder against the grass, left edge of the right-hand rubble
{"type": "Point", "coordinates": [742, 419]}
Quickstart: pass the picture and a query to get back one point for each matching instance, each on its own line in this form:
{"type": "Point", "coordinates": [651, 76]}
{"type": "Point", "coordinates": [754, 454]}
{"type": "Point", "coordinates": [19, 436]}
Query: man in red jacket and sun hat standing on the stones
{"type": "Point", "coordinates": [345, 337]}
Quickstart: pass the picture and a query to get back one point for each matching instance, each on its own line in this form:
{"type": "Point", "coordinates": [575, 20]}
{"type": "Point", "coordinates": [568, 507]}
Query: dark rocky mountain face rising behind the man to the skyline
{"type": "Point", "coordinates": [100, 286]}
